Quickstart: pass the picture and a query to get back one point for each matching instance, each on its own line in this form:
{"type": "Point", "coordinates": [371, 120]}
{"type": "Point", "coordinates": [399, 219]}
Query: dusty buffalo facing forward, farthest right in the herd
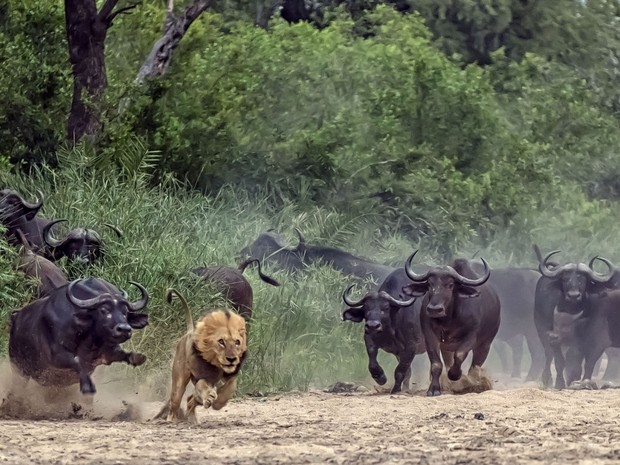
{"type": "Point", "coordinates": [571, 289]}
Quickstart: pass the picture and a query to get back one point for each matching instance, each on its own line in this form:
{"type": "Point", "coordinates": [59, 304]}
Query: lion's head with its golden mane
{"type": "Point", "coordinates": [220, 338]}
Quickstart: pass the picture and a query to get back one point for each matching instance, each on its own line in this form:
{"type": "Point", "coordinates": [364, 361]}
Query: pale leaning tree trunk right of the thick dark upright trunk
{"type": "Point", "coordinates": [158, 61]}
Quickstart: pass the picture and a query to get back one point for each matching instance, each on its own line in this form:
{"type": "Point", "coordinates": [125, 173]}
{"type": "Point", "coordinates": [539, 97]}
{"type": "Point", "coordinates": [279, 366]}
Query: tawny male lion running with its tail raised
{"type": "Point", "coordinates": [211, 356]}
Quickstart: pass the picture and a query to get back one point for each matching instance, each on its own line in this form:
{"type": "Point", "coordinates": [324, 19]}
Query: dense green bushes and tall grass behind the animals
{"type": "Point", "coordinates": [457, 126]}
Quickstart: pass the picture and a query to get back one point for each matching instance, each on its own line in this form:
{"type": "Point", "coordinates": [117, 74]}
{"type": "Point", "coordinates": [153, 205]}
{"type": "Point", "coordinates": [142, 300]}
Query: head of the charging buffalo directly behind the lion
{"type": "Point", "coordinates": [106, 310]}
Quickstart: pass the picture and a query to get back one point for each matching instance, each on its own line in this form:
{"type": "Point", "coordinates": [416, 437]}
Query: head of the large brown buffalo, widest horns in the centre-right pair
{"type": "Point", "coordinates": [442, 283]}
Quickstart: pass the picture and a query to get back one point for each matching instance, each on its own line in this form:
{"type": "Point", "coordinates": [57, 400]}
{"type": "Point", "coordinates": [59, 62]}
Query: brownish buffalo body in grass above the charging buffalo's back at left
{"type": "Point", "coordinates": [49, 276]}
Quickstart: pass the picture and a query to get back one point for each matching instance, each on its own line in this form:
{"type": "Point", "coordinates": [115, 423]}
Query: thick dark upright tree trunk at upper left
{"type": "Point", "coordinates": [86, 33]}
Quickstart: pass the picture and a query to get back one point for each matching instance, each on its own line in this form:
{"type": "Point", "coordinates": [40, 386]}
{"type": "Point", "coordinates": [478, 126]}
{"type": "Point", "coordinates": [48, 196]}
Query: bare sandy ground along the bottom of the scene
{"type": "Point", "coordinates": [516, 426]}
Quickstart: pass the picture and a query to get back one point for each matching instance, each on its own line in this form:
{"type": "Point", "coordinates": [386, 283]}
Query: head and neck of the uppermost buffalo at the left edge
{"type": "Point", "coordinates": [16, 213]}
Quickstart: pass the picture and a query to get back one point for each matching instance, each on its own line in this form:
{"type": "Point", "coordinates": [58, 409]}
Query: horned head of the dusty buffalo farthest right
{"type": "Point", "coordinates": [577, 280]}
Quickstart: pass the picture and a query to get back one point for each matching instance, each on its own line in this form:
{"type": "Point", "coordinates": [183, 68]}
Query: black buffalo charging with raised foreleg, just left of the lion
{"type": "Point", "coordinates": [60, 340]}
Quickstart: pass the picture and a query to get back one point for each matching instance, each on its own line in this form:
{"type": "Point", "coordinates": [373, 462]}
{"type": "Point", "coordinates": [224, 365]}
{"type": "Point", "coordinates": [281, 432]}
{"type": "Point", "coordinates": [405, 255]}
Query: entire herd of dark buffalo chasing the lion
{"type": "Point", "coordinates": [566, 313]}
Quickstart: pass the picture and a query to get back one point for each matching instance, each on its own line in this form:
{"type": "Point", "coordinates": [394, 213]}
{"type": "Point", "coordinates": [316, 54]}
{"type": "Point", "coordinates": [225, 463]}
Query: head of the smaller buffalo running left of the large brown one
{"type": "Point", "coordinates": [375, 307]}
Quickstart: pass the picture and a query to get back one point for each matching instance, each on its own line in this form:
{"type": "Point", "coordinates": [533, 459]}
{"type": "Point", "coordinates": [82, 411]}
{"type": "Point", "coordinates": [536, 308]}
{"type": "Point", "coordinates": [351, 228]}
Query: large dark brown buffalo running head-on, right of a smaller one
{"type": "Point", "coordinates": [460, 313]}
